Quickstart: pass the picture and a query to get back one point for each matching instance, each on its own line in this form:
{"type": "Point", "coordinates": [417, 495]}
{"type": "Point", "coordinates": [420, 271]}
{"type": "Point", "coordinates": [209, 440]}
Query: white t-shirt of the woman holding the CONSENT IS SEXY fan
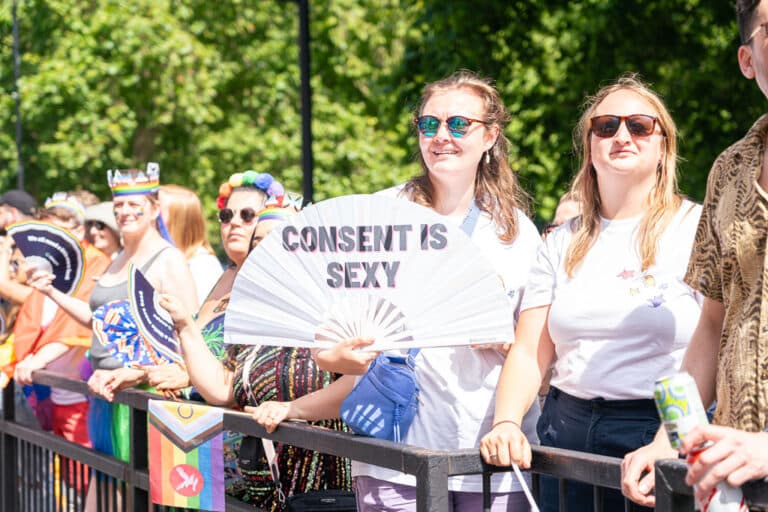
{"type": "Point", "coordinates": [458, 384]}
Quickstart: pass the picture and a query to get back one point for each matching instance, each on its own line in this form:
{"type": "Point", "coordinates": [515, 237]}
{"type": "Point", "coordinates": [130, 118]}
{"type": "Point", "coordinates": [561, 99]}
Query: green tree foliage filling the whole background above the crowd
{"type": "Point", "coordinates": [211, 88]}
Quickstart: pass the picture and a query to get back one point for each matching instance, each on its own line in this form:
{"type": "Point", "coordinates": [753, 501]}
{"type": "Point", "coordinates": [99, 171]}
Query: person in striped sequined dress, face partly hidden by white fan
{"type": "Point", "coordinates": [252, 374]}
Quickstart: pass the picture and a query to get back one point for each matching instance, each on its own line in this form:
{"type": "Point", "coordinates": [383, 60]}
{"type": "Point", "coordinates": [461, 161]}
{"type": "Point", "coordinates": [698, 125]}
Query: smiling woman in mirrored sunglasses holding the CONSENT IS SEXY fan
{"type": "Point", "coordinates": [466, 174]}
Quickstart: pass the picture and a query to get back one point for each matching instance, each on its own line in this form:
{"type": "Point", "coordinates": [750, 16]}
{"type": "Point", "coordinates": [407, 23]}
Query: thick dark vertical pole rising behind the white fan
{"type": "Point", "coordinates": [307, 161]}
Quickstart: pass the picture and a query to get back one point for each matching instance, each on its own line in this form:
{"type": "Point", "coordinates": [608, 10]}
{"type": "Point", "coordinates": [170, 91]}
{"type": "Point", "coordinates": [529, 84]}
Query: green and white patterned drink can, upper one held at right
{"type": "Point", "coordinates": [679, 405]}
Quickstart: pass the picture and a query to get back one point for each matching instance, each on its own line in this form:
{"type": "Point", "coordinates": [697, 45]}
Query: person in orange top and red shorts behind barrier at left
{"type": "Point", "coordinates": [45, 336]}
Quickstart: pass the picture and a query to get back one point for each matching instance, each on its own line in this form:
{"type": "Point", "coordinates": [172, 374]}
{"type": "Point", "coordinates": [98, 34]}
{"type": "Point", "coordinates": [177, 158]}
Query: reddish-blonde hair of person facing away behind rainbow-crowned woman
{"type": "Point", "coordinates": [186, 223]}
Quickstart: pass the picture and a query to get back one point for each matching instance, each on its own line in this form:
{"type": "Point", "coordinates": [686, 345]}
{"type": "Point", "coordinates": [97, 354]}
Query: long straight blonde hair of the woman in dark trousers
{"type": "Point", "coordinates": [663, 200]}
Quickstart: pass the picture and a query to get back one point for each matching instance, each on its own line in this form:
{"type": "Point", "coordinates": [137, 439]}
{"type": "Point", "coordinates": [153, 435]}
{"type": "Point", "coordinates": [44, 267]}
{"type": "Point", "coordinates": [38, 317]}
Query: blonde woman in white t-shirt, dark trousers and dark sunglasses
{"type": "Point", "coordinates": [606, 299]}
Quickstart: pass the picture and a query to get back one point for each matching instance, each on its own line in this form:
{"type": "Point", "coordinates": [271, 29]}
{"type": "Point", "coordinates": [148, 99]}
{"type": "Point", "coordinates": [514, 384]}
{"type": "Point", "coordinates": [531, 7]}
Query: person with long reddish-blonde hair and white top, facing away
{"type": "Point", "coordinates": [183, 215]}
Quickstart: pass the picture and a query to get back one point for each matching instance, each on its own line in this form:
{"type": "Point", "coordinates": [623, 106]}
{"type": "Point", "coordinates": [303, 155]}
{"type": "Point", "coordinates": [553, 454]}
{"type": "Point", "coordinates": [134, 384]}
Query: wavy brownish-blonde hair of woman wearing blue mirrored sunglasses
{"type": "Point", "coordinates": [497, 190]}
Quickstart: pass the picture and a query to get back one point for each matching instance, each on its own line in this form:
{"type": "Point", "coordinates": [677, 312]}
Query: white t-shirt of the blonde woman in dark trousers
{"type": "Point", "coordinates": [616, 329]}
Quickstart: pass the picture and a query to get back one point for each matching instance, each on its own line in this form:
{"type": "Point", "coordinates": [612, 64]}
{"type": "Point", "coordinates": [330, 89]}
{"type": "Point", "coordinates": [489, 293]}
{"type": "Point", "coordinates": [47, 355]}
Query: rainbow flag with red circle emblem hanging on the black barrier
{"type": "Point", "coordinates": [186, 457]}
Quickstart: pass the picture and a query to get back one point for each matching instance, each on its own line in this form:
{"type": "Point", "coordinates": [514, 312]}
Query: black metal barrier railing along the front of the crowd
{"type": "Point", "coordinates": [43, 472]}
